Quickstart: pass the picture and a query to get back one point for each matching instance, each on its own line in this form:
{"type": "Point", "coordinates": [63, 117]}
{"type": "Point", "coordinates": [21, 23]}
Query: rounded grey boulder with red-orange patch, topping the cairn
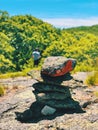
{"type": "Point", "coordinates": [57, 66]}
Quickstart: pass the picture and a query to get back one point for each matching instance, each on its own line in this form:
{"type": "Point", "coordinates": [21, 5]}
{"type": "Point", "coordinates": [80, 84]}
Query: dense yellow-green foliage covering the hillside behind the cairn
{"type": "Point", "coordinates": [19, 35]}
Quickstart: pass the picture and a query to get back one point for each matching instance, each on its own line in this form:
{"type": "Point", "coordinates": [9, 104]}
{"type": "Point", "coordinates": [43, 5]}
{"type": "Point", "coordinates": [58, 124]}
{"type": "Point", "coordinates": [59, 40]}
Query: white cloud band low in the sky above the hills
{"type": "Point", "coordinates": [71, 22]}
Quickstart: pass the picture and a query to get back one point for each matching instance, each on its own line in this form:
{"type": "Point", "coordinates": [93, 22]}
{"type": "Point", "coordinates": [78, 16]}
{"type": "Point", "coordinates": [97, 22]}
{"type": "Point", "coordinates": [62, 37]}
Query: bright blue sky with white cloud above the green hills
{"type": "Point", "coordinates": [59, 13]}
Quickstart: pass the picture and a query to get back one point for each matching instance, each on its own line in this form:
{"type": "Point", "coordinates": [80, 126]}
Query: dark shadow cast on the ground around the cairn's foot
{"type": "Point", "coordinates": [33, 114]}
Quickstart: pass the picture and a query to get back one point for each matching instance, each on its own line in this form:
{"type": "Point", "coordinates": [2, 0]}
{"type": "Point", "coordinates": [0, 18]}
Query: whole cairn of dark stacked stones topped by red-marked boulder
{"type": "Point", "coordinates": [55, 96]}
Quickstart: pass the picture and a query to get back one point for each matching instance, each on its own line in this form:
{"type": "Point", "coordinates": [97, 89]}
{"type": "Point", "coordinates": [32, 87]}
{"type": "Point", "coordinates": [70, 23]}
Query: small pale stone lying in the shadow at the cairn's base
{"type": "Point", "coordinates": [47, 110]}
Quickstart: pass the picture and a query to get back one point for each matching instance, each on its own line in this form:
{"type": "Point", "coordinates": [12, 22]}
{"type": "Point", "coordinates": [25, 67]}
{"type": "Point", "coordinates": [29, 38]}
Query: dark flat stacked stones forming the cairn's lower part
{"type": "Point", "coordinates": [55, 96]}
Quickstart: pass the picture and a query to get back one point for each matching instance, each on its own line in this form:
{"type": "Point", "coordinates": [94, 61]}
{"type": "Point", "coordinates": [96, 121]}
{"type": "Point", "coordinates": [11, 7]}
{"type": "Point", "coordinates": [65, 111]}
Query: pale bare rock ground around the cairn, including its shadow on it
{"type": "Point", "coordinates": [22, 103]}
